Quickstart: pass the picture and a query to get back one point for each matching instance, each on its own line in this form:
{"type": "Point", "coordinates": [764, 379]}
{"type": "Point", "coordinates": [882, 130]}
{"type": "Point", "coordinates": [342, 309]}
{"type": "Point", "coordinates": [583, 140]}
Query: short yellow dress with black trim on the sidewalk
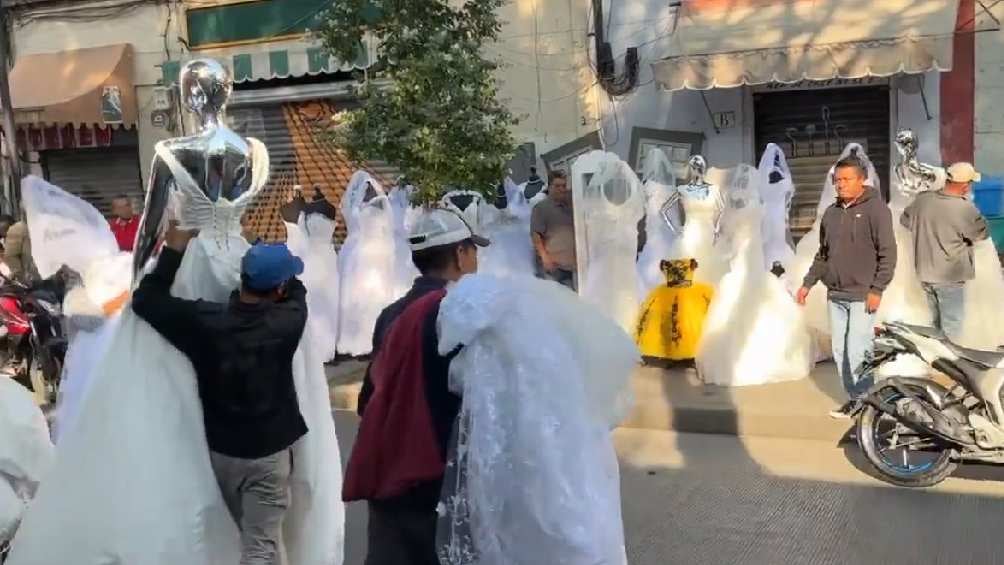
{"type": "Point", "coordinates": [673, 317]}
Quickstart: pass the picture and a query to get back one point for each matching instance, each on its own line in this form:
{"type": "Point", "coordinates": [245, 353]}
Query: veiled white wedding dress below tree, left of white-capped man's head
{"type": "Point", "coordinates": [372, 263]}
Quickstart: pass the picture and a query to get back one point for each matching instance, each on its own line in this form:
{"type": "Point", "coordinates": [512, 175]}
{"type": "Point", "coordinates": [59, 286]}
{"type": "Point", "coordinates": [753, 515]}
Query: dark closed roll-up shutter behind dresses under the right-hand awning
{"type": "Point", "coordinates": [813, 127]}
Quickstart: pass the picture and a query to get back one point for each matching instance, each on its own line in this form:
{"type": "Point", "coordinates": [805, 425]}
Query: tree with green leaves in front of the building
{"type": "Point", "coordinates": [435, 113]}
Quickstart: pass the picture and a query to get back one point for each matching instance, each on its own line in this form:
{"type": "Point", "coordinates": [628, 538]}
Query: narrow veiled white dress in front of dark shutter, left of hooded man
{"type": "Point", "coordinates": [777, 199]}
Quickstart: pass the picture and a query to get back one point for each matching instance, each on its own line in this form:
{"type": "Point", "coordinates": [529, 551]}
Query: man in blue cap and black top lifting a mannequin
{"type": "Point", "coordinates": [242, 354]}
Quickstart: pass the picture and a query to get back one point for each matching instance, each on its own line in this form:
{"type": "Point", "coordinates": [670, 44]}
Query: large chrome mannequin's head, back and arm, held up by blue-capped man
{"type": "Point", "coordinates": [216, 157]}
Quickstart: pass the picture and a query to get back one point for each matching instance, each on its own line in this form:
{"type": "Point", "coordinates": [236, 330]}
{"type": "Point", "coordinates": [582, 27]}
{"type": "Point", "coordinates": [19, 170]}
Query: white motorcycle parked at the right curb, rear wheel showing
{"type": "Point", "coordinates": [915, 432]}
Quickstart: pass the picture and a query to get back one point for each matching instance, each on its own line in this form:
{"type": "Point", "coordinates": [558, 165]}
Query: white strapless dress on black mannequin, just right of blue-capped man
{"type": "Point", "coordinates": [312, 239]}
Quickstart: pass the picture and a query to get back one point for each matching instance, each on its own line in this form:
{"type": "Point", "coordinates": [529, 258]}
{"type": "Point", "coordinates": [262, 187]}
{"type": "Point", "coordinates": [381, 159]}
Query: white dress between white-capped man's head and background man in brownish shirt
{"type": "Point", "coordinates": [512, 251]}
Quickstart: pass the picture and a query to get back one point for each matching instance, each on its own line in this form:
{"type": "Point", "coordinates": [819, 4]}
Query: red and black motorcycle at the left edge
{"type": "Point", "coordinates": [34, 341]}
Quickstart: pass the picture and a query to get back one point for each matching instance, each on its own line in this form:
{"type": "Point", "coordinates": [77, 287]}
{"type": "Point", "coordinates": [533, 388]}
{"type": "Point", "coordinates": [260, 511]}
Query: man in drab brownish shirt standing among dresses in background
{"type": "Point", "coordinates": [553, 228]}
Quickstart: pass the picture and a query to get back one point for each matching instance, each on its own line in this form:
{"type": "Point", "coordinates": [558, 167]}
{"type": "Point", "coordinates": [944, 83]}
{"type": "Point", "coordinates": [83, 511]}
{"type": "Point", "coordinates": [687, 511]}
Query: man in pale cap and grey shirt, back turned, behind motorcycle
{"type": "Point", "coordinates": [946, 225]}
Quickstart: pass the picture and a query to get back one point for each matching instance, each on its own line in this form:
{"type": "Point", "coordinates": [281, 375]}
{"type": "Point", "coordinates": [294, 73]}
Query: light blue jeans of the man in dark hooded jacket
{"type": "Point", "coordinates": [853, 333]}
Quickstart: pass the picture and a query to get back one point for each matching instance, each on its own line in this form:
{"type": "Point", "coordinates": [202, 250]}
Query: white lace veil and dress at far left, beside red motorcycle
{"type": "Point", "coordinates": [70, 231]}
